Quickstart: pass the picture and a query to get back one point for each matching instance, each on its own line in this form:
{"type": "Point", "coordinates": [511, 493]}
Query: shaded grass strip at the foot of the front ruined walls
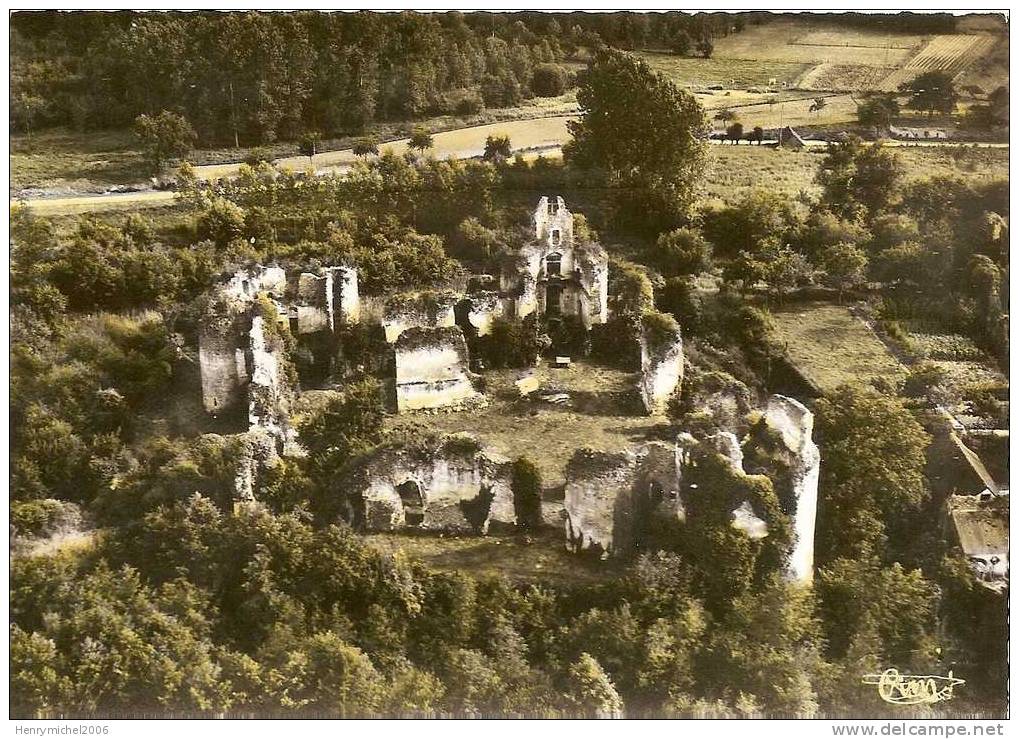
{"type": "Point", "coordinates": [541, 559]}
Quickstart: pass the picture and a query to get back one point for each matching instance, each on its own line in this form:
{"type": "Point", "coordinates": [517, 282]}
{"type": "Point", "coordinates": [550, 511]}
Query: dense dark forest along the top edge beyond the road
{"type": "Point", "coordinates": [257, 78]}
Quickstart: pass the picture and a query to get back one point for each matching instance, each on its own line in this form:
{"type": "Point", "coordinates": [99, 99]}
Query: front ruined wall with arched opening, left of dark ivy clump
{"type": "Point", "coordinates": [439, 484]}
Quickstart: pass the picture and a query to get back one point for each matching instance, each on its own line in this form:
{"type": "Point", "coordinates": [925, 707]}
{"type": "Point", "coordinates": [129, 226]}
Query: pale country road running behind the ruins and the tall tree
{"type": "Point", "coordinates": [531, 137]}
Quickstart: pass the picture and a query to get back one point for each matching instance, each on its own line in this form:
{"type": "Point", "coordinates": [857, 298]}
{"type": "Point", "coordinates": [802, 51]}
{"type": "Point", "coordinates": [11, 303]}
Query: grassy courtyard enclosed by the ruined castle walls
{"type": "Point", "coordinates": [597, 417]}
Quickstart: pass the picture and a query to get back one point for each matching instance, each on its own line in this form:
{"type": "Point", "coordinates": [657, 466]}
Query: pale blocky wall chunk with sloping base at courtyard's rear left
{"type": "Point", "coordinates": [433, 369]}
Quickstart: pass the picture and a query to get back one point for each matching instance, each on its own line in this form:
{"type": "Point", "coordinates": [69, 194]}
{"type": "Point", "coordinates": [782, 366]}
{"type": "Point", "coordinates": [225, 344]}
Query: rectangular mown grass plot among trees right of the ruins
{"type": "Point", "coordinates": [832, 347]}
